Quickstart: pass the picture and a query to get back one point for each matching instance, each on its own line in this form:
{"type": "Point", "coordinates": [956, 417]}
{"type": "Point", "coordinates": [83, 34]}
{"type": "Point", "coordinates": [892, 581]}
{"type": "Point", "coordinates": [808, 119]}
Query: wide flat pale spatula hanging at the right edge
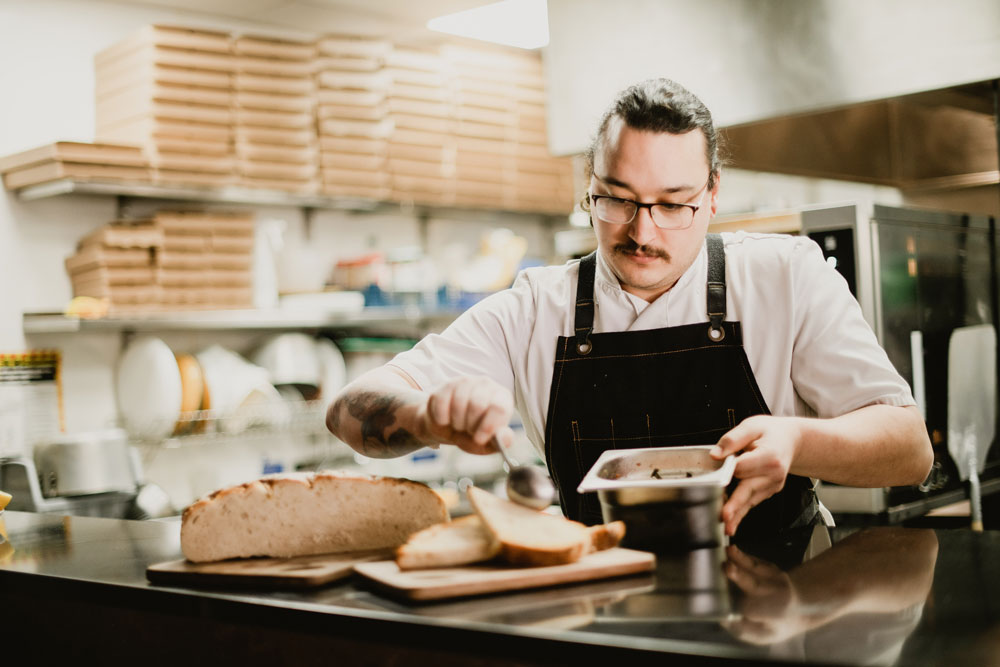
{"type": "Point", "coordinates": [972, 384]}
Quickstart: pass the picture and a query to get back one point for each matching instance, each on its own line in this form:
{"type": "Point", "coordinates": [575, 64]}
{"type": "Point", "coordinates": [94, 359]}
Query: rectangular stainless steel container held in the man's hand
{"type": "Point", "coordinates": [670, 498]}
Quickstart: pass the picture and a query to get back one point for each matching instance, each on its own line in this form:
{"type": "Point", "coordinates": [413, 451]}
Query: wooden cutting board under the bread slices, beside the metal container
{"type": "Point", "coordinates": [452, 582]}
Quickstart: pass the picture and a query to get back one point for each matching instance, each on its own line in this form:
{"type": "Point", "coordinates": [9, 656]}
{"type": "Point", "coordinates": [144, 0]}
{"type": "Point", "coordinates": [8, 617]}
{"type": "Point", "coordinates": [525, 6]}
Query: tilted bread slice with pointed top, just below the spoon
{"type": "Point", "coordinates": [527, 536]}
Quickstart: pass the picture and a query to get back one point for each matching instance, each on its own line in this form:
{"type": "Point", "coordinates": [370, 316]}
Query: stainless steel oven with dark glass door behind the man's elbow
{"type": "Point", "coordinates": [919, 277]}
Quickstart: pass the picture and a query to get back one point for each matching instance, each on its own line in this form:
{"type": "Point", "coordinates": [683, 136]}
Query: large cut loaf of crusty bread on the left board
{"type": "Point", "coordinates": [300, 514]}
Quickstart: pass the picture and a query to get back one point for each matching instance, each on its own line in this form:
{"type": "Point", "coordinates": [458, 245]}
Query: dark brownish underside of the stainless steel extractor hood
{"type": "Point", "coordinates": [935, 141]}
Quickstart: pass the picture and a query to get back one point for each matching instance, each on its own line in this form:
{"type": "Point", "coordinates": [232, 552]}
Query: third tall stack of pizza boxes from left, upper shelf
{"type": "Point", "coordinates": [351, 115]}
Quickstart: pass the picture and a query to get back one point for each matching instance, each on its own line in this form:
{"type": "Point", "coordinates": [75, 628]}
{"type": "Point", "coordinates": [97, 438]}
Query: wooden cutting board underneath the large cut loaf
{"type": "Point", "coordinates": [300, 572]}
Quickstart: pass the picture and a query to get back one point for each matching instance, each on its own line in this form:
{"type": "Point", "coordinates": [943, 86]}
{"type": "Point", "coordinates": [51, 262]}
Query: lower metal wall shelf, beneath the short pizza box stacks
{"type": "Point", "coordinates": [240, 320]}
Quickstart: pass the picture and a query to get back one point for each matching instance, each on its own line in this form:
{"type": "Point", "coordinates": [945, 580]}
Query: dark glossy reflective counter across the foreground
{"type": "Point", "coordinates": [882, 595]}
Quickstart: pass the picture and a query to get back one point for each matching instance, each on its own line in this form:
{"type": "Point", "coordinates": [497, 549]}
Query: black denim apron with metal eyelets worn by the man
{"type": "Point", "coordinates": [685, 385]}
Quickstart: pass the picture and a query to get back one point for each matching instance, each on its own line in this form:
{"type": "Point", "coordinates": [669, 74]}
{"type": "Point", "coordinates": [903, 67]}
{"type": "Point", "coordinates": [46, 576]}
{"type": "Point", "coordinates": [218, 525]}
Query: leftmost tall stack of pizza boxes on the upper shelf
{"type": "Point", "coordinates": [170, 90]}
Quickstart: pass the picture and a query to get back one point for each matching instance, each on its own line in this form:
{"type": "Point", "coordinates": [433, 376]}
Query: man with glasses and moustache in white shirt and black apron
{"type": "Point", "coordinates": [666, 335]}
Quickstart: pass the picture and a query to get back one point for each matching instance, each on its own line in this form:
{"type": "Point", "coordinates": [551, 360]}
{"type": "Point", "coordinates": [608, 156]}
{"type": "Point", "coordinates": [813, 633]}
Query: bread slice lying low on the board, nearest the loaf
{"type": "Point", "coordinates": [457, 542]}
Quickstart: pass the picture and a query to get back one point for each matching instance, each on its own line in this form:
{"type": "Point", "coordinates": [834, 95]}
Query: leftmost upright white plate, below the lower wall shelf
{"type": "Point", "coordinates": [148, 388]}
